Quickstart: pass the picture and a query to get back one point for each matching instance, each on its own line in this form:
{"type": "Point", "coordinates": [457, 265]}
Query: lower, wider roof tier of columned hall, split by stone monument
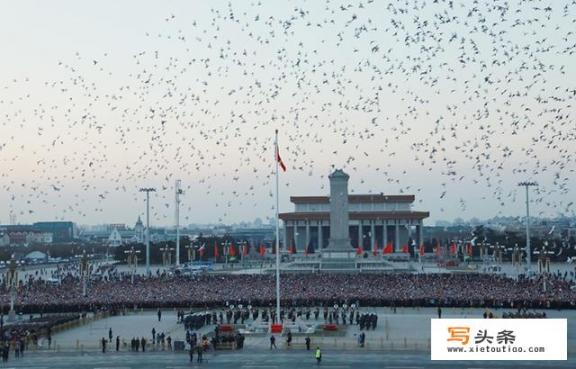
{"type": "Point", "coordinates": [357, 215]}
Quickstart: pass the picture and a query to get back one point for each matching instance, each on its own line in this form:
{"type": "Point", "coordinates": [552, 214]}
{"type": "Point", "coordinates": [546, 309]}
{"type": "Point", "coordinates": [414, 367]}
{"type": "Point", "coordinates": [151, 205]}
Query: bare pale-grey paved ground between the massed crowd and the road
{"type": "Point", "coordinates": [407, 329]}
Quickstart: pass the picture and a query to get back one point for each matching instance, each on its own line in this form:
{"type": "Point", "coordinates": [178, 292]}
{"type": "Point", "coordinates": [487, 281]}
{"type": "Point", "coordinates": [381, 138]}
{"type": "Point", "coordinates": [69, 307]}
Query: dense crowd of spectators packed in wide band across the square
{"type": "Point", "coordinates": [305, 289]}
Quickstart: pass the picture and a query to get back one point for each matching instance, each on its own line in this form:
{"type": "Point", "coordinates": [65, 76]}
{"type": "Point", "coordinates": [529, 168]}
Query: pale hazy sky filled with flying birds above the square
{"type": "Point", "coordinates": [452, 101]}
